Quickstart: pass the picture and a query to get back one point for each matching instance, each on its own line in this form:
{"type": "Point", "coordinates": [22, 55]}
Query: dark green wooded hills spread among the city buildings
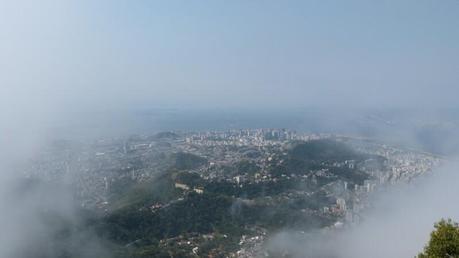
{"type": "Point", "coordinates": [154, 218]}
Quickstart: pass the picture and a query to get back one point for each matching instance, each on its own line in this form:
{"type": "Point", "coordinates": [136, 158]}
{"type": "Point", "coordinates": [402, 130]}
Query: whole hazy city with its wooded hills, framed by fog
{"type": "Point", "coordinates": [260, 180]}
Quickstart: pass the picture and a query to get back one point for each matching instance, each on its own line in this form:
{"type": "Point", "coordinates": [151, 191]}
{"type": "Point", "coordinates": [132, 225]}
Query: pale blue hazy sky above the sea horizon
{"type": "Point", "coordinates": [120, 54]}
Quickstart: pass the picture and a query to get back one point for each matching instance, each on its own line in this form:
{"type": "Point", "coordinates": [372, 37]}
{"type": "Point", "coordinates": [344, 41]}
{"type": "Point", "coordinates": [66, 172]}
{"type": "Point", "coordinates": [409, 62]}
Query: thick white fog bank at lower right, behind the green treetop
{"type": "Point", "coordinates": [398, 224]}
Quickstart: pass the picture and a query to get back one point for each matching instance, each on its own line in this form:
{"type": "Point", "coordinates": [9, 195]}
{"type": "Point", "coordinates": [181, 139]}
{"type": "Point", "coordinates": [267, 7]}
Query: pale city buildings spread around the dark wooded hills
{"type": "Point", "coordinates": [96, 169]}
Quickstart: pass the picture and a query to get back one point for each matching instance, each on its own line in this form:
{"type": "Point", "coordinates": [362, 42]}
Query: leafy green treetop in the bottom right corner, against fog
{"type": "Point", "coordinates": [444, 241]}
